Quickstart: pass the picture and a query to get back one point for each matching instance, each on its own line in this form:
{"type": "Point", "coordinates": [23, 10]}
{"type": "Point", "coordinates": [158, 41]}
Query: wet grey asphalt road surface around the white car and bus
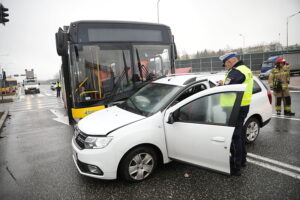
{"type": "Point", "coordinates": [36, 162]}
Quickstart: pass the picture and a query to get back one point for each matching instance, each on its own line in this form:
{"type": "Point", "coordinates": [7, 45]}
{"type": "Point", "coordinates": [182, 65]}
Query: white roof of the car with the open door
{"type": "Point", "coordinates": [186, 79]}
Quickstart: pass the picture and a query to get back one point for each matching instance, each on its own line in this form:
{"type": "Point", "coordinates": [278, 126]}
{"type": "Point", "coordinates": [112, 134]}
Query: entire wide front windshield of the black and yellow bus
{"type": "Point", "coordinates": [103, 70]}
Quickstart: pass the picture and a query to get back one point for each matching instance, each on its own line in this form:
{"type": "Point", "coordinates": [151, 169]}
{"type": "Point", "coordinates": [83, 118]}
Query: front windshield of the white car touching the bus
{"type": "Point", "coordinates": [150, 98]}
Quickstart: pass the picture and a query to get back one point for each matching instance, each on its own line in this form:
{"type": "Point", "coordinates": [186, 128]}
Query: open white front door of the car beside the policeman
{"type": "Point", "coordinates": [199, 128]}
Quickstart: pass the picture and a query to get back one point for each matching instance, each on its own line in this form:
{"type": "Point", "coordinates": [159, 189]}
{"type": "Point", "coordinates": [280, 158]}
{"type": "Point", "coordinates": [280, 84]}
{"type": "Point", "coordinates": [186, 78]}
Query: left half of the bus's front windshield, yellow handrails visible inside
{"type": "Point", "coordinates": [98, 69]}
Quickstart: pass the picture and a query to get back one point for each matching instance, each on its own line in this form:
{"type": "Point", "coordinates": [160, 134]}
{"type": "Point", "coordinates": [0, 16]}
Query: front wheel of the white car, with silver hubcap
{"type": "Point", "coordinates": [138, 164]}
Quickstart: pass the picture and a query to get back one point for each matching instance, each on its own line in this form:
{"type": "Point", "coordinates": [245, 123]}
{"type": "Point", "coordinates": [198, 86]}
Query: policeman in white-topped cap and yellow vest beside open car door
{"type": "Point", "coordinates": [237, 73]}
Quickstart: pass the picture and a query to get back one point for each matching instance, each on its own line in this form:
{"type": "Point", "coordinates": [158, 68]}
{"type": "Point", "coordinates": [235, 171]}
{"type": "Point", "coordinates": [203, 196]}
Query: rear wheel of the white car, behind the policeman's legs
{"type": "Point", "coordinates": [252, 128]}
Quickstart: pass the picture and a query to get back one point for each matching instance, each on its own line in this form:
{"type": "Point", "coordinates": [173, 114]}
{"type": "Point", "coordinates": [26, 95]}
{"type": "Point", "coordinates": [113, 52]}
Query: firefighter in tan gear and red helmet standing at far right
{"type": "Point", "coordinates": [279, 79]}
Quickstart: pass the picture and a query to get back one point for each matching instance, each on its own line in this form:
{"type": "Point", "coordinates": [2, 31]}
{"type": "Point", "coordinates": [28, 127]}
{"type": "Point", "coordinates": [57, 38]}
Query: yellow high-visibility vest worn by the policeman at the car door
{"type": "Point", "coordinates": [227, 100]}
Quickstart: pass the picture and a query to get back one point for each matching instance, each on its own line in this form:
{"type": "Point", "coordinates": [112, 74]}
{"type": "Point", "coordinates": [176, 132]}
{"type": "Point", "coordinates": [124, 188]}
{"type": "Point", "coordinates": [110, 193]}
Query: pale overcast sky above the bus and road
{"type": "Point", "coordinates": [28, 39]}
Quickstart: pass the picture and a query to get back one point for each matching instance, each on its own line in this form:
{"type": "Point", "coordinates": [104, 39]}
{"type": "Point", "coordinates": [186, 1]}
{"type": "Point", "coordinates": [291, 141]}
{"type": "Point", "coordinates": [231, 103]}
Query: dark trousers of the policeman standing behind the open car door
{"type": "Point", "coordinates": [238, 147]}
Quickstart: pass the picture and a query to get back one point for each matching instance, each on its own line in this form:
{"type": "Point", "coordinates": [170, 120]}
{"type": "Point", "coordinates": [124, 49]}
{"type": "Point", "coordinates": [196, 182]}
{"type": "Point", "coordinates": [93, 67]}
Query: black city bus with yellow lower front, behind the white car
{"type": "Point", "coordinates": [104, 62]}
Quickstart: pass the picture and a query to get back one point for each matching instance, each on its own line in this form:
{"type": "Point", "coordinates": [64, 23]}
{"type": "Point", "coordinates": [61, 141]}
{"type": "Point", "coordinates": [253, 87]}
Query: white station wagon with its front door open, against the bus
{"type": "Point", "coordinates": [178, 117]}
